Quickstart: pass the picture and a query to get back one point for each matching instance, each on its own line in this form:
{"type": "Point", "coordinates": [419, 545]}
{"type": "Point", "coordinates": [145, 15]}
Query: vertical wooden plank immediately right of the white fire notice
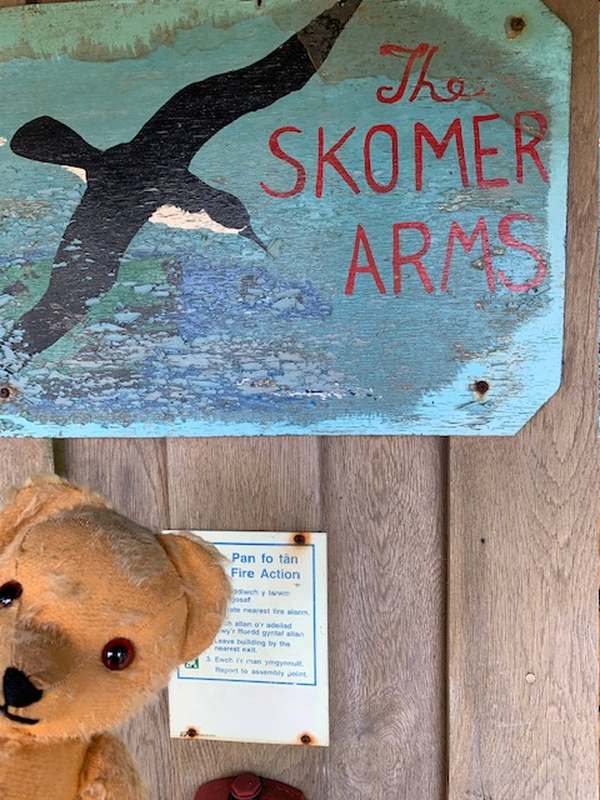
{"type": "Point", "coordinates": [384, 507]}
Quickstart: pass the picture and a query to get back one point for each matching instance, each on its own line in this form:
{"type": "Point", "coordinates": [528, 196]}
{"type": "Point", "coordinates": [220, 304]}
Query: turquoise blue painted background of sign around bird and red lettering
{"type": "Point", "coordinates": [221, 339]}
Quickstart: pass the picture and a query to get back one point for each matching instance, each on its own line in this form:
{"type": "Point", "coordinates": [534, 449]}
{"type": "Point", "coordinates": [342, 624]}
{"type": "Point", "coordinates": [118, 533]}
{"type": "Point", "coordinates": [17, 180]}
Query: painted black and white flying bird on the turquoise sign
{"type": "Point", "coordinates": [148, 178]}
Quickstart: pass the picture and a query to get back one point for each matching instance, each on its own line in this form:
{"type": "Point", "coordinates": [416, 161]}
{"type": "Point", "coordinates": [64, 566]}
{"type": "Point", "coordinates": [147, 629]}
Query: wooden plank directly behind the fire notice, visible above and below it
{"type": "Point", "coordinates": [247, 484]}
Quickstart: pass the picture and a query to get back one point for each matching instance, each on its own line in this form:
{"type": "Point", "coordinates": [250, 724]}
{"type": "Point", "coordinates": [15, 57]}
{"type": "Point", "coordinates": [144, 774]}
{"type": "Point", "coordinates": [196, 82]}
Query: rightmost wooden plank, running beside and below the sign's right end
{"type": "Point", "coordinates": [523, 596]}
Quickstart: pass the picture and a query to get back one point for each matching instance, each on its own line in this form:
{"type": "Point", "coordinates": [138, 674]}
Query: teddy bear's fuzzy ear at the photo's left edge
{"type": "Point", "coordinates": [39, 499]}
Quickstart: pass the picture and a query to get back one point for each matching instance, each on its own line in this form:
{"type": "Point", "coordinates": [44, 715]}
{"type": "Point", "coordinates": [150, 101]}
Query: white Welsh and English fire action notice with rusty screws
{"type": "Point", "coordinates": [265, 678]}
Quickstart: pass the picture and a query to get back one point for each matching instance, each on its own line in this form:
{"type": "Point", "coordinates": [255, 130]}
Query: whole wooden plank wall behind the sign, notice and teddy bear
{"type": "Point", "coordinates": [503, 625]}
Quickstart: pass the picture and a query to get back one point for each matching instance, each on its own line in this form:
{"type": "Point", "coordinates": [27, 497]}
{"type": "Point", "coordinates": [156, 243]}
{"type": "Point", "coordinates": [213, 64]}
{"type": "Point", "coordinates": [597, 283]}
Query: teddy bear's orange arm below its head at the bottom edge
{"type": "Point", "coordinates": [109, 773]}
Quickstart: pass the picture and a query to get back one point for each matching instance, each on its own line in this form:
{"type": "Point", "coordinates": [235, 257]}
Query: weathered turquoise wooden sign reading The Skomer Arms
{"type": "Point", "coordinates": [301, 217]}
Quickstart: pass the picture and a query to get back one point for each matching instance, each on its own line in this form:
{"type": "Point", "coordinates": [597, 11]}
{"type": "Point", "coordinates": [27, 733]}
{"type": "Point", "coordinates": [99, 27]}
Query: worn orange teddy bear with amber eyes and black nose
{"type": "Point", "coordinates": [95, 613]}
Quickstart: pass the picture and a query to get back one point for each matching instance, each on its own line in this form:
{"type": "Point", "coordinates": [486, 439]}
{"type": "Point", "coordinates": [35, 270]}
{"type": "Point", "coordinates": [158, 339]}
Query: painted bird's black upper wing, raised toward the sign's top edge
{"type": "Point", "coordinates": [196, 113]}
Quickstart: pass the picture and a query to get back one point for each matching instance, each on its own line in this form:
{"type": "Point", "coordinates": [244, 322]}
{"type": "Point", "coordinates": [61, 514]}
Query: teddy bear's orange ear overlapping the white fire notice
{"type": "Point", "coordinates": [206, 585]}
